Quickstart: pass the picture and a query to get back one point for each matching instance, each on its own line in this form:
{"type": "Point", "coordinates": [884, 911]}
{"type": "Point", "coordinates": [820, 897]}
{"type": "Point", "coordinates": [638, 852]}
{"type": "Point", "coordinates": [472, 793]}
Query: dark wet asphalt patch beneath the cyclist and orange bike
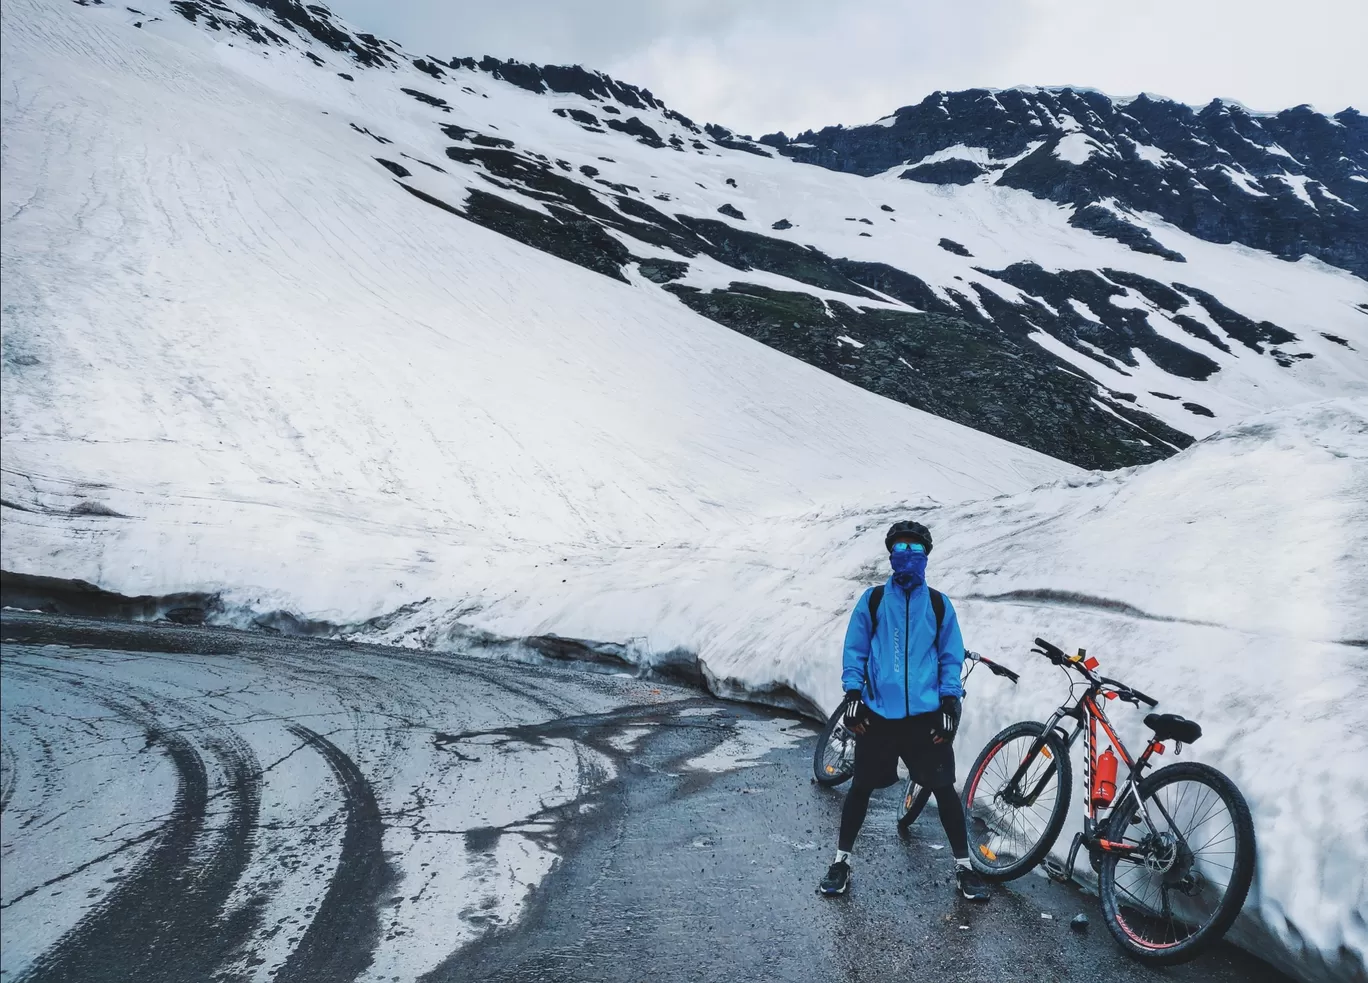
{"type": "Point", "coordinates": [715, 880]}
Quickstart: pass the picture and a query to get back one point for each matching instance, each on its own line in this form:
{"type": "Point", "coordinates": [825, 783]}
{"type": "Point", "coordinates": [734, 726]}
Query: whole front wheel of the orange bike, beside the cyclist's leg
{"type": "Point", "coordinates": [1013, 825]}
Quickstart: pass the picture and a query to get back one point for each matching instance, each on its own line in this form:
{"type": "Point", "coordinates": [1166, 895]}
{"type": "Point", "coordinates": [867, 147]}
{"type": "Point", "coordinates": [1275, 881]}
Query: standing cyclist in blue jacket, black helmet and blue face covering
{"type": "Point", "coordinates": [902, 680]}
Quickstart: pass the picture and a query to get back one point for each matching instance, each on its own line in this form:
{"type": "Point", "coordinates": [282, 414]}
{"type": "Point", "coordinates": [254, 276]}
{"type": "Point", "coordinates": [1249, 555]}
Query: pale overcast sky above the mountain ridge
{"type": "Point", "coordinates": [787, 65]}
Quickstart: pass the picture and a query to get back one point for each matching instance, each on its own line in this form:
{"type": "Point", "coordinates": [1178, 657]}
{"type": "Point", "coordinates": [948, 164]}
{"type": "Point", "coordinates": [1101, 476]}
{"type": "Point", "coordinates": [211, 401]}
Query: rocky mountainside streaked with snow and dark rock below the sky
{"type": "Point", "coordinates": [1088, 278]}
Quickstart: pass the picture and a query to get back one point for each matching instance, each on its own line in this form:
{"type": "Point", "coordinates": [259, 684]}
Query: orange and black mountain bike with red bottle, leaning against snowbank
{"type": "Point", "coordinates": [1176, 850]}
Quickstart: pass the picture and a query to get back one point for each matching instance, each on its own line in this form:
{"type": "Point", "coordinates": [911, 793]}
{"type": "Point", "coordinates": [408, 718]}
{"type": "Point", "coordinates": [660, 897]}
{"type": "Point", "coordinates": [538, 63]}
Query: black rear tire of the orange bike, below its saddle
{"type": "Point", "coordinates": [1241, 867]}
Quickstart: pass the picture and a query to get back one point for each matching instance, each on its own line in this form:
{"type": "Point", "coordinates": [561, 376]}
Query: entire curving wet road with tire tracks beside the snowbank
{"type": "Point", "coordinates": [189, 803]}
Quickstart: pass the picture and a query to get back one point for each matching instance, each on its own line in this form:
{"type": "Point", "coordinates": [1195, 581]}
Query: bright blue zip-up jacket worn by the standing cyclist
{"type": "Point", "coordinates": [904, 669]}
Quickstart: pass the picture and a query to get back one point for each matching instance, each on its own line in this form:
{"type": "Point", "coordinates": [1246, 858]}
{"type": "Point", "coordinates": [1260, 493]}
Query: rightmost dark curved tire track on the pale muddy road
{"type": "Point", "coordinates": [340, 944]}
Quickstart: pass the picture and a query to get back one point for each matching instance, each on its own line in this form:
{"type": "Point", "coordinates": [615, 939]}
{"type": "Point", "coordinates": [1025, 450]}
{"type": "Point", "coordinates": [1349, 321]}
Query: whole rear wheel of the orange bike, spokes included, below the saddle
{"type": "Point", "coordinates": [1187, 883]}
